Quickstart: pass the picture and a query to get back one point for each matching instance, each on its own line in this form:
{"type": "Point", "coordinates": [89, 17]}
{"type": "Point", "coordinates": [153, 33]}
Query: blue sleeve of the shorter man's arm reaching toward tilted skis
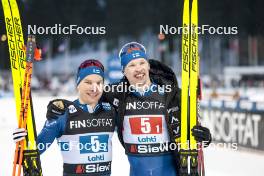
{"type": "Point", "coordinates": [52, 129]}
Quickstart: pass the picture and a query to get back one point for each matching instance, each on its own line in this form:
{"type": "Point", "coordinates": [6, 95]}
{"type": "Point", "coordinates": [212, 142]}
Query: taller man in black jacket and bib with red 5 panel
{"type": "Point", "coordinates": [149, 113]}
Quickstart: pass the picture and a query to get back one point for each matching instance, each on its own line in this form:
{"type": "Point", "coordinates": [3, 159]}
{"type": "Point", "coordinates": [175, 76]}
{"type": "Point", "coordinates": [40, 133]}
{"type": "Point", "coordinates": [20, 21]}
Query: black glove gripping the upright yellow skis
{"type": "Point", "coordinates": [202, 134]}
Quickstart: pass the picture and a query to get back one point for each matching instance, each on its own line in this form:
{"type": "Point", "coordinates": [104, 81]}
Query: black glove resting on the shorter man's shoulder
{"type": "Point", "coordinates": [56, 108]}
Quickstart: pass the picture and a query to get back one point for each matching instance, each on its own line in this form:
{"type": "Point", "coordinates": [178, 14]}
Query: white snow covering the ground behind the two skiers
{"type": "Point", "coordinates": [219, 161]}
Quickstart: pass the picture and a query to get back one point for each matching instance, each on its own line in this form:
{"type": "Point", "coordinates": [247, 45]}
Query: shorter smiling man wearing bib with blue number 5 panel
{"type": "Point", "coordinates": [85, 127]}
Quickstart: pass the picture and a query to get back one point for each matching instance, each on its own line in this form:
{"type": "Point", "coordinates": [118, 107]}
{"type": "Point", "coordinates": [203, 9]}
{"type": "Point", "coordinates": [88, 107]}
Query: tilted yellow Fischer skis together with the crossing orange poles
{"type": "Point", "coordinates": [26, 153]}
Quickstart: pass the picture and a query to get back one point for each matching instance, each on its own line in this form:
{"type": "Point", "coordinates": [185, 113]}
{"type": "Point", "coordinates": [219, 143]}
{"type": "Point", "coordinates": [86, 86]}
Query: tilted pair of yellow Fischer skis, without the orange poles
{"type": "Point", "coordinates": [17, 59]}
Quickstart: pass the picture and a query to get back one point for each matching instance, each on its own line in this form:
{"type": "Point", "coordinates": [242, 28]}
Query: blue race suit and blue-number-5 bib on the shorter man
{"type": "Point", "coordinates": [91, 127]}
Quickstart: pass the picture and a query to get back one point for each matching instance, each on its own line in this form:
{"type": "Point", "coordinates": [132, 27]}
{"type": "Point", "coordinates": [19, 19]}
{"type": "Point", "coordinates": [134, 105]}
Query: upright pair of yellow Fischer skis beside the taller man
{"type": "Point", "coordinates": [191, 156]}
